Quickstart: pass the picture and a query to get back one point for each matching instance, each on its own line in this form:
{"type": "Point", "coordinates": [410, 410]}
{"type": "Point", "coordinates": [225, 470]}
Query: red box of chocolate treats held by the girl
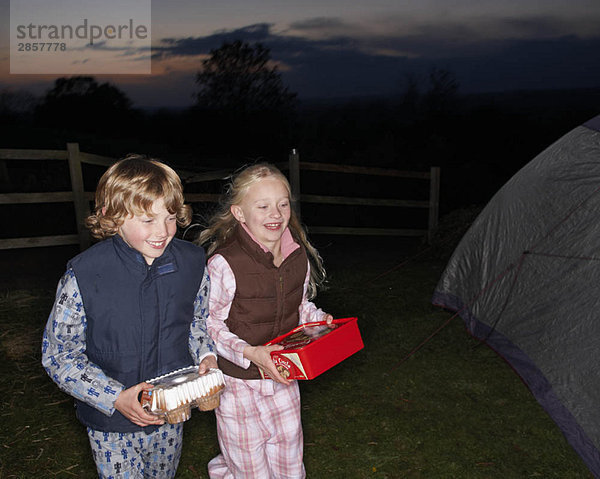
{"type": "Point", "coordinates": [313, 348]}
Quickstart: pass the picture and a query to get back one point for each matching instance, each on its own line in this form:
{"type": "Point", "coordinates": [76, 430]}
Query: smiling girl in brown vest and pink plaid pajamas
{"type": "Point", "coordinates": [263, 272]}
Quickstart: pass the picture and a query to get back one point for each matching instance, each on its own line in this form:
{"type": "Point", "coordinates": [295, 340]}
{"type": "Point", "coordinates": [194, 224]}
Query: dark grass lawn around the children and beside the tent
{"type": "Point", "coordinates": [453, 409]}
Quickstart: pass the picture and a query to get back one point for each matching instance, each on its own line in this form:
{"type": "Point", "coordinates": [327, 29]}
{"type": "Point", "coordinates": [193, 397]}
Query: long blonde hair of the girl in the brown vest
{"type": "Point", "coordinates": [222, 224]}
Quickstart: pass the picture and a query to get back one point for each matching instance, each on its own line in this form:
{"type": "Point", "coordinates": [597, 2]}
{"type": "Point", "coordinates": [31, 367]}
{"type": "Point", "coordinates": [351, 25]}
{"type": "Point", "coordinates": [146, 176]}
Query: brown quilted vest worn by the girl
{"type": "Point", "coordinates": [266, 298]}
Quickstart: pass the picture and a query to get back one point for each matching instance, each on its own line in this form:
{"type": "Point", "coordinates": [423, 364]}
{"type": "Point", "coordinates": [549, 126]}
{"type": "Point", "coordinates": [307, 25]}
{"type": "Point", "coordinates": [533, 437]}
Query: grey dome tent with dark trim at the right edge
{"type": "Point", "coordinates": [525, 278]}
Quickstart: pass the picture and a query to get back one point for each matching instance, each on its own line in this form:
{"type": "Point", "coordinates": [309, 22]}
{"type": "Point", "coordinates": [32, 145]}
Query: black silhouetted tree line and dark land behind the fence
{"type": "Point", "coordinates": [242, 111]}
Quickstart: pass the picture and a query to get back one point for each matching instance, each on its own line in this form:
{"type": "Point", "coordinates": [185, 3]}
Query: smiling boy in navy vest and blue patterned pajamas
{"type": "Point", "coordinates": [130, 308]}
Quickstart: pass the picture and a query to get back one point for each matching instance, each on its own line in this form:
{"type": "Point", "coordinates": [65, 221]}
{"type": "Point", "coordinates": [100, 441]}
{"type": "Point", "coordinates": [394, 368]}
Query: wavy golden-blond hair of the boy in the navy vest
{"type": "Point", "coordinates": [130, 187]}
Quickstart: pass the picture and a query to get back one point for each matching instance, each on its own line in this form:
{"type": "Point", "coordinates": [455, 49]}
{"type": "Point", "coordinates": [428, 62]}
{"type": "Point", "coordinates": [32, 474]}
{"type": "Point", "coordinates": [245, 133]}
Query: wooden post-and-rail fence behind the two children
{"type": "Point", "coordinates": [82, 199]}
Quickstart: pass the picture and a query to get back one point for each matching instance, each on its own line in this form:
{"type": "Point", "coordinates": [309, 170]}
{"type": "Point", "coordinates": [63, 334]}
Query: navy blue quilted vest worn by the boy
{"type": "Point", "coordinates": [138, 315]}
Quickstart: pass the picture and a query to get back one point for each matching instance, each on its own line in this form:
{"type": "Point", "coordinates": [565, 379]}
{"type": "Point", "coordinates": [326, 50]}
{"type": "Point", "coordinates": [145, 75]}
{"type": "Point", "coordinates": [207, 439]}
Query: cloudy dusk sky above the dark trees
{"type": "Point", "coordinates": [346, 48]}
